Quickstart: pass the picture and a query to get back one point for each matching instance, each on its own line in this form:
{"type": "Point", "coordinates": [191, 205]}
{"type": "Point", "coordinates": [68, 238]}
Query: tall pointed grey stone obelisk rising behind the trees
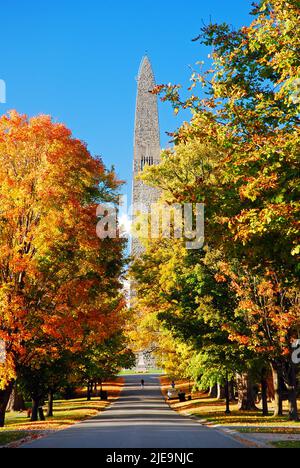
{"type": "Point", "coordinates": [146, 143]}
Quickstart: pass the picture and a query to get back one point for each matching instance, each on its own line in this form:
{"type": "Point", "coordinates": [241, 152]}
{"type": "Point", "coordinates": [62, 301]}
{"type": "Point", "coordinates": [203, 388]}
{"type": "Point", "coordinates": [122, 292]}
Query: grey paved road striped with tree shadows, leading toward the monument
{"type": "Point", "coordinates": [139, 419]}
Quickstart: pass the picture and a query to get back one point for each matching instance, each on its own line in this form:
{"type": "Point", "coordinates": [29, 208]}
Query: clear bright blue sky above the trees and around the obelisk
{"type": "Point", "coordinates": [77, 60]}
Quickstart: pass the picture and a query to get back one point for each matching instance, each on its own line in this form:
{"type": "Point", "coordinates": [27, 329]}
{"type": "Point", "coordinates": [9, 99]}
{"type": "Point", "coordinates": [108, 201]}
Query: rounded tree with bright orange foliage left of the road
{"type": "Point", "coordinates": [59, 283]}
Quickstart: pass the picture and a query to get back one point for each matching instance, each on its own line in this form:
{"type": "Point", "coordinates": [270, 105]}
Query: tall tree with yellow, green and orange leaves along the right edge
{"type": "Point", "coordinates": [239, 156]}
